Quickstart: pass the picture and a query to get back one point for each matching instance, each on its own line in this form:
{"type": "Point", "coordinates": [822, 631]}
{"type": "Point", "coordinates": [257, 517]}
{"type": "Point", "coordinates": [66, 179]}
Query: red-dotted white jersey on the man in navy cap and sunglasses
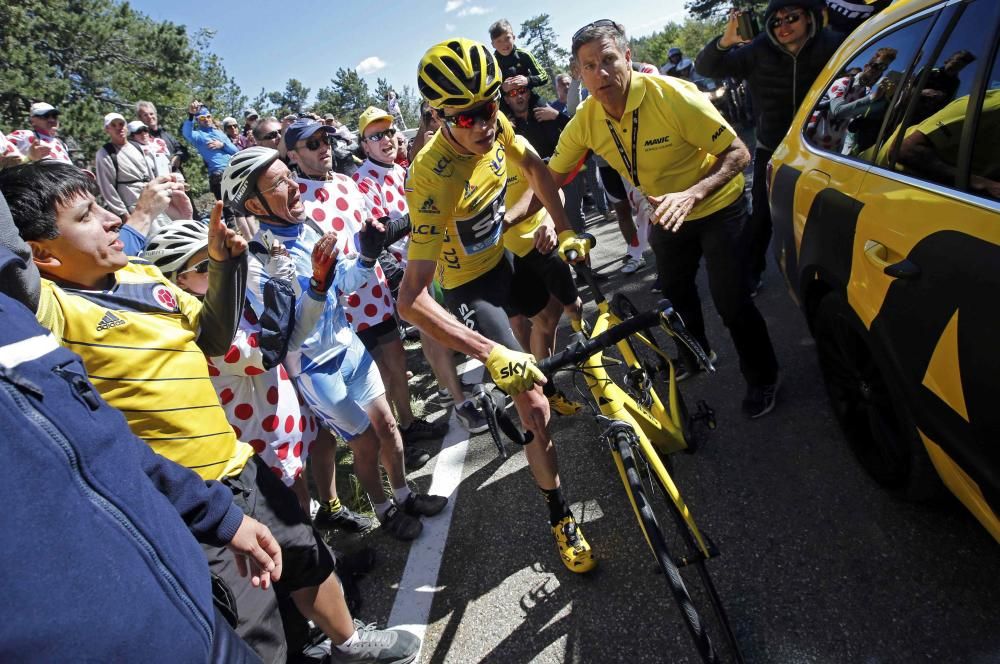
{"type": "Point", "coordinates": [338, 205]}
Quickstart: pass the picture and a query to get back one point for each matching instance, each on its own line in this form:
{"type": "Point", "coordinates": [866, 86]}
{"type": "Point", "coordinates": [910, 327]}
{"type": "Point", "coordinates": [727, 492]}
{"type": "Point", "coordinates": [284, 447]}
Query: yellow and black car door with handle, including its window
{"type": "Point", "coordinates": [926, 268]}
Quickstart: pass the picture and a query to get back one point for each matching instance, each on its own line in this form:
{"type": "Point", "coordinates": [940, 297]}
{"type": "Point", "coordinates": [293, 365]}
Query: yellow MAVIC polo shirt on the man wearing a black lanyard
{"type": "Point", "coordinates": [667, 139]}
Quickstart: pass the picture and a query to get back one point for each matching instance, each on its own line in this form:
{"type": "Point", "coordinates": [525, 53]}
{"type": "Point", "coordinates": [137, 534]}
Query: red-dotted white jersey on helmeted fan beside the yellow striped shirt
{"type": "Point", "coordinates": [263, 405]}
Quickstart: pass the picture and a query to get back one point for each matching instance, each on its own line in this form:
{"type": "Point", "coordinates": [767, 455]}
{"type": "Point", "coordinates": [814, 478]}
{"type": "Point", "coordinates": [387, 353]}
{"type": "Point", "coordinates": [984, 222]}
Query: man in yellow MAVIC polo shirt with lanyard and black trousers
{"type": "Point", "coordinates": [664, 137]}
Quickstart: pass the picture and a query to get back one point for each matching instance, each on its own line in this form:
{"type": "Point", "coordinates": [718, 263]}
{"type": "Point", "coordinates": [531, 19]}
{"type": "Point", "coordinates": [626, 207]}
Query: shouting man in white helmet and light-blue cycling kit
{"type": "Point", "coordinates": [332, 370]}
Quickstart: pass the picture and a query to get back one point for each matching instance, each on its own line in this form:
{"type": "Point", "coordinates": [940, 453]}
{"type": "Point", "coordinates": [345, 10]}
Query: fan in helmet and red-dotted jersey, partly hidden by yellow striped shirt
{"type": "Point", "coordinates": [261, 404]}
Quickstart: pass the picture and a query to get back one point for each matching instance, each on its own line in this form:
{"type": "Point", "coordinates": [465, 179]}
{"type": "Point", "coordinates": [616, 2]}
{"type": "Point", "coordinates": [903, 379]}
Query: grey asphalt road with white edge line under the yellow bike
{"type": "Point", "coordinates": [818, 563]}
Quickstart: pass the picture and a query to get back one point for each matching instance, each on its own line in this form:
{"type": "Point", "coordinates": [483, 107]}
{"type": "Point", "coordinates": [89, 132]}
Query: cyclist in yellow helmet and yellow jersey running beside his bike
{"type": "Point", "coordinates": [455, 191]}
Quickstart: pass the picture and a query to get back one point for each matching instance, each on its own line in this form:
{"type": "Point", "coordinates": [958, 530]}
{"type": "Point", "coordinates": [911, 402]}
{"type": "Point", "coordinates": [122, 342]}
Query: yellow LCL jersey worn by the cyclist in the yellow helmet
{"type": "Point", "coordinates": [456, 205]}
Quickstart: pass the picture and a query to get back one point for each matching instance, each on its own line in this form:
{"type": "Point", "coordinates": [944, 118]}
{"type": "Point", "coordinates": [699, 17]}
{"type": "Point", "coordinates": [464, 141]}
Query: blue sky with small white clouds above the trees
{"type": "Point", "coordinates": [263, 45]}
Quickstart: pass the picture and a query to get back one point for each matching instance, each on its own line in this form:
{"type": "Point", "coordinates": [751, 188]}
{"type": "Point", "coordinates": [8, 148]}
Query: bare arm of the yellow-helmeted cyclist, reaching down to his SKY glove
{"type": "Point", "coordinates": [418, 307]}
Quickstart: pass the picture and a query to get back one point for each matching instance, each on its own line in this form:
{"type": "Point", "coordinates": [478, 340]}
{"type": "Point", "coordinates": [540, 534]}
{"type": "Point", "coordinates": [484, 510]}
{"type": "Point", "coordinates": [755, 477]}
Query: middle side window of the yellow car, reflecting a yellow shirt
{"type": "Point", "coordinates": [925, 132]}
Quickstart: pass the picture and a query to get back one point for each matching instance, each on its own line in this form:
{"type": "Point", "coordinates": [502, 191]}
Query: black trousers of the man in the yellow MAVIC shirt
{"type": "Point", "coordinates": [716, 237]}
